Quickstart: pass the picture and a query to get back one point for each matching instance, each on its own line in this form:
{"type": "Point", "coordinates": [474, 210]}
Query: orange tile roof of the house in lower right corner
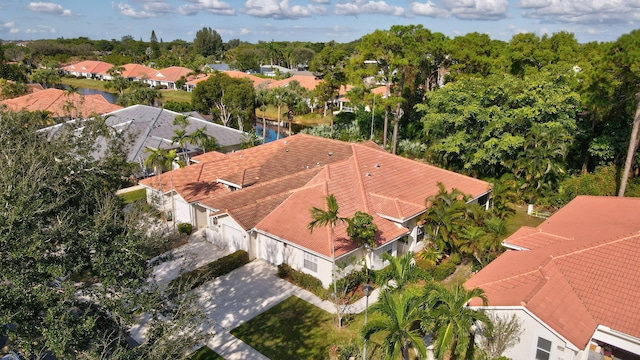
{"type": "Point", "coordinates": [588, 278]}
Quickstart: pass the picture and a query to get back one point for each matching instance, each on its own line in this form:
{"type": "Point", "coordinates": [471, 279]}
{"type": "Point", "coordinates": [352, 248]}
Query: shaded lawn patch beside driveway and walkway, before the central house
{"type": "Point", "coordinates": [295, 329]}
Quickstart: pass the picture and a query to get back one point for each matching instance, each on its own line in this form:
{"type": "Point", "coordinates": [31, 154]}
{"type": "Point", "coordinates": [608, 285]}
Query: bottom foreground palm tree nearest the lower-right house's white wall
{"type": "Point", "coordinates": [453, 319]}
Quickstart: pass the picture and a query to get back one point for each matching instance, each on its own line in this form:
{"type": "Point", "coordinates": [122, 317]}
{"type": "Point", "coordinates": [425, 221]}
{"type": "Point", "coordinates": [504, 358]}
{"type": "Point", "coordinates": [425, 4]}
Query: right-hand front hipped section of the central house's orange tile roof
{"type": "Point", "coordinates": [371, 180]}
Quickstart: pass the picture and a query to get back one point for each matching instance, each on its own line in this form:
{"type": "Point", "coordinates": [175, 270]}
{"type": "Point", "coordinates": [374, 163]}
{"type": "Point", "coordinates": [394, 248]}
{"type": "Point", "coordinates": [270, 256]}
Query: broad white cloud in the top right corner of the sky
{"type": "Point", "coordinates": [587, 12]}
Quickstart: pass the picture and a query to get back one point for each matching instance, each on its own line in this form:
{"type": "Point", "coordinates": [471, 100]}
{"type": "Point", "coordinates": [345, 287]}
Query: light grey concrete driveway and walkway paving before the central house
{"type": "Point", "coordinates": [235, 298]}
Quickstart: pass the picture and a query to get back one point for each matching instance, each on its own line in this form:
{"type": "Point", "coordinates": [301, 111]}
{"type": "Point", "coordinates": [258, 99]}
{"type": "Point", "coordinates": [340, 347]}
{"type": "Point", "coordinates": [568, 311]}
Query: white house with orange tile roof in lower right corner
{"type": "Point", "coordinates": [572, 282]}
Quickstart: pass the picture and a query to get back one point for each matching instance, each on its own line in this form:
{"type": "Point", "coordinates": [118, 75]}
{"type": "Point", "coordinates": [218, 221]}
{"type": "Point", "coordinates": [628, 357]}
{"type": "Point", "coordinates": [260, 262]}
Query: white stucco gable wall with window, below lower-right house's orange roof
{"type": "Point", "coordinates": [534, 328]}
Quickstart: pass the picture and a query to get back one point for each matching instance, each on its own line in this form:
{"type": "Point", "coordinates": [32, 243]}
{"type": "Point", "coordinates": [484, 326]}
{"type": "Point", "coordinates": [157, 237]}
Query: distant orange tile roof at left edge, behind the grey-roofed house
{"type": "Point", "coordinates": [57, 102]}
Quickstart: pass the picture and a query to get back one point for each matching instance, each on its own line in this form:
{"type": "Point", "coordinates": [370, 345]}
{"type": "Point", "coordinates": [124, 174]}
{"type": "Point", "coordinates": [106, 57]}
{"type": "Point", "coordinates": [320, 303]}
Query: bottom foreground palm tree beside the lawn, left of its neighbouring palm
{"type": "Point", "coordinates": [400, 320]}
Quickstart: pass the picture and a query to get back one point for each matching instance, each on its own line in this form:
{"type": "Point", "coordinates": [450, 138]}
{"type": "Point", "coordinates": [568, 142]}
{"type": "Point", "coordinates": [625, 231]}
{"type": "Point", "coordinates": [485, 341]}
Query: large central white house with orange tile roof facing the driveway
{"type": "Point", "coordinates": [259, 199]}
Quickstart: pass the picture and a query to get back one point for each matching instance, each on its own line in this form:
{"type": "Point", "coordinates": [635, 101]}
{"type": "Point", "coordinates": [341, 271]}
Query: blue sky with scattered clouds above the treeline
{"type": "Point", "coordinates": [313, 20]}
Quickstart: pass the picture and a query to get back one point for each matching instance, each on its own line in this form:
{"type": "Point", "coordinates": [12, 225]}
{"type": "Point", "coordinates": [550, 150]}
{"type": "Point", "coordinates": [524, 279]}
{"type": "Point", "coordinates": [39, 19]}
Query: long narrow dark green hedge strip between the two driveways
{"type": "Point", "coordinates": [194, 278]}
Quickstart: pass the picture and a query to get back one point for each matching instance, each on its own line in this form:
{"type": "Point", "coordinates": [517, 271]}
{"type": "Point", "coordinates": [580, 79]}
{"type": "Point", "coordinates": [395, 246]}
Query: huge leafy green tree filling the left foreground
{"type": "Point", "coordinates": [79, 263]}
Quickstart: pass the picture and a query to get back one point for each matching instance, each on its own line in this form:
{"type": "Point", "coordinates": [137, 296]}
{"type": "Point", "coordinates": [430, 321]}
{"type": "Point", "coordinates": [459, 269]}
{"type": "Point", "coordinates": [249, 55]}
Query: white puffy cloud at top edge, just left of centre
{"type": "Point", "coordinates": [280, 9]}
